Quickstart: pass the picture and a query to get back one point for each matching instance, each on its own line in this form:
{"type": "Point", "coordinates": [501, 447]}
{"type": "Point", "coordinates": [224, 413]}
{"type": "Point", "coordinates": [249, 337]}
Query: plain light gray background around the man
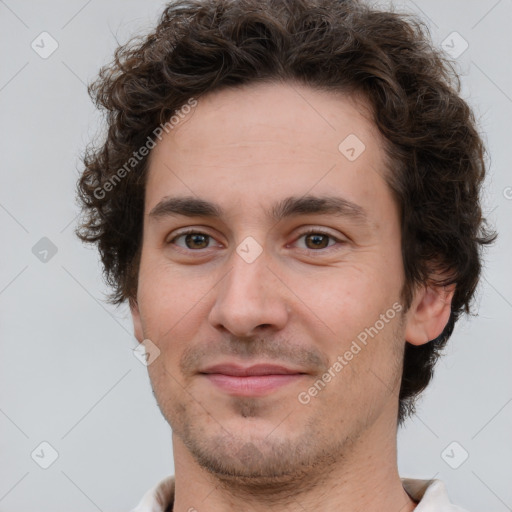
{"type": "Point", "coordinates": [67, 372]}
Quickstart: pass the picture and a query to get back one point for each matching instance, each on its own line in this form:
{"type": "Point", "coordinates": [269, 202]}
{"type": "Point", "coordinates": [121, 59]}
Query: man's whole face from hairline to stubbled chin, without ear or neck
{"type": "Point", "coordinates": [270, 281]}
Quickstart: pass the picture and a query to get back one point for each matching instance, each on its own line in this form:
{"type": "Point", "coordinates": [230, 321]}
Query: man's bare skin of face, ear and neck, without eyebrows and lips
{"type": "Point", "coordinates": [201, 303]}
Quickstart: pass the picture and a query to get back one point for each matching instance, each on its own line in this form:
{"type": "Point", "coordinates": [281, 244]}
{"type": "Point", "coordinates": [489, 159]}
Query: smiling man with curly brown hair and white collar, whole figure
{"type": "Point", "coordinates": [288, 197]}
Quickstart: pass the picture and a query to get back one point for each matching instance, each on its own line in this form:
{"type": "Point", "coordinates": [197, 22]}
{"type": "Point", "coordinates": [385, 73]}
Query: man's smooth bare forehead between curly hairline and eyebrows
{"type": "Point", "coordinates": [248, 144]}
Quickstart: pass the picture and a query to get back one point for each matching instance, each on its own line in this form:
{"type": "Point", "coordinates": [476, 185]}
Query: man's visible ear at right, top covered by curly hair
{"type": "Point", "coordinates": [429, 313]}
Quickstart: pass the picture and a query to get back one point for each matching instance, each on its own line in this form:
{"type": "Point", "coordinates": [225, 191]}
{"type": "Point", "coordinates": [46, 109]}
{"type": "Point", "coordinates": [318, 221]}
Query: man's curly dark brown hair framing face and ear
{"type": "Point", "coordinates": [199, 46]}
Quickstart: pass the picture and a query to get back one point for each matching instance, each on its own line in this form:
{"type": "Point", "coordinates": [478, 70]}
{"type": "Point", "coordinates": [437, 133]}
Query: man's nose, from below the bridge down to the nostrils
{"type": "Point", "coordinates": [249, 298]}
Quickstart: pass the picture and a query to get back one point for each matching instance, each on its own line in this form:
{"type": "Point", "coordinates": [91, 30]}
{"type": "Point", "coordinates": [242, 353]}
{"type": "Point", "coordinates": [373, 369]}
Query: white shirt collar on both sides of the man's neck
{"type": "Point", "coordinates": [430, 495]}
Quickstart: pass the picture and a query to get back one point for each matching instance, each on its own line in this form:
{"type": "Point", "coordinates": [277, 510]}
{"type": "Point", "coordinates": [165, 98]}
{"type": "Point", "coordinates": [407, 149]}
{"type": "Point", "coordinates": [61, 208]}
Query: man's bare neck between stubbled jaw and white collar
{"type": "Point", "coordinates": [364, 477]}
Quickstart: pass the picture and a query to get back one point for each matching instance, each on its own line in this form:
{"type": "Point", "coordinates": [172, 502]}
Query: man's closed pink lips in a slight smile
{"type": "Point", "coordinates": [255, 380]}
